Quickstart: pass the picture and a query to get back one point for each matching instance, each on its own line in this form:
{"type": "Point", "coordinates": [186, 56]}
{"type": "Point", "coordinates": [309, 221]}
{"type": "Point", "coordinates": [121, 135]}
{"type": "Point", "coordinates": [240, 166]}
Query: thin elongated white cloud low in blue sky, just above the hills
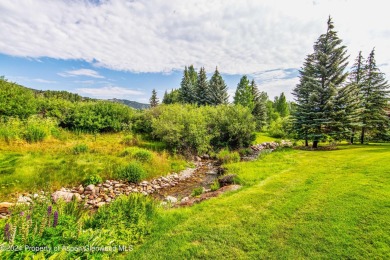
{"type": "Point", "coordinates": [108, 92]}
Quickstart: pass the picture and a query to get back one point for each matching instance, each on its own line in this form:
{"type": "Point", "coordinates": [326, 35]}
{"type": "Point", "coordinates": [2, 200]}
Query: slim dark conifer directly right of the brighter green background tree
{"type": "Point", "coordinates": [260, 109]}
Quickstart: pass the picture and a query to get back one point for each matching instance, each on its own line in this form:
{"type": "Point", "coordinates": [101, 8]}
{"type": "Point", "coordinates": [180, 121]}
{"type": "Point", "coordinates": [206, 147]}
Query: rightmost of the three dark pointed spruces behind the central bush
{"type": "Point", "coordinates": [217, 90]}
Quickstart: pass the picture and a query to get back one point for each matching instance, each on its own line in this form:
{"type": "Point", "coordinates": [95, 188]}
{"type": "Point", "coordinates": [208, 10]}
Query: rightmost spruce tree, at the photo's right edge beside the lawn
{"type": "Point", "coordinates": [374, 91]}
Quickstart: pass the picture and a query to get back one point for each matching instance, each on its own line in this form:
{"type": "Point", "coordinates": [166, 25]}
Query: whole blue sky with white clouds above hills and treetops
{"type": "Point", "coordinates": [125, 48]}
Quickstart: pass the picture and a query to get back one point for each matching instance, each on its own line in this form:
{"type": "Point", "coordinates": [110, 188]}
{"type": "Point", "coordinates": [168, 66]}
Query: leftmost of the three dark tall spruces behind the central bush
{"type": "Point", "coordinates": [187, 86]}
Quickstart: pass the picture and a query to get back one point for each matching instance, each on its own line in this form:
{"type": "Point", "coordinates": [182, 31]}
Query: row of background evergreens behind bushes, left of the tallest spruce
{"type": "Point", "coordinates": [196, 89]}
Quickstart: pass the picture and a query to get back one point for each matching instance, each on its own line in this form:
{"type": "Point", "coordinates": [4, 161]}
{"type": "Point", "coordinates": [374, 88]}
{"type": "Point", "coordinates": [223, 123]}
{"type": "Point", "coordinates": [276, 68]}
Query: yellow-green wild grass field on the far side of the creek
{"type": "Point", "coordinates": [53, 163]}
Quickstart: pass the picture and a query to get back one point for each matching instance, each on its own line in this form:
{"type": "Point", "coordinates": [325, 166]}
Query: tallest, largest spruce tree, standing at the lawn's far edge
{"type": "Point", "coordinates": [327, 75]}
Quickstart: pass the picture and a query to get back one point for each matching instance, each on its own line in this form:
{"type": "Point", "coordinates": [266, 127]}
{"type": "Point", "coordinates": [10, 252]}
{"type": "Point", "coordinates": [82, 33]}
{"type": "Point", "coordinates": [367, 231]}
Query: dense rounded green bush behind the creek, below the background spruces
{"type": "Point", "coordinates": [191, 129]}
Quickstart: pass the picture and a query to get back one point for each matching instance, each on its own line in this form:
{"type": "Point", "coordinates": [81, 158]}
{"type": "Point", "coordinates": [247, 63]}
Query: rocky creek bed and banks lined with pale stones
{"type": "Point", "coordinates": [175, 189]}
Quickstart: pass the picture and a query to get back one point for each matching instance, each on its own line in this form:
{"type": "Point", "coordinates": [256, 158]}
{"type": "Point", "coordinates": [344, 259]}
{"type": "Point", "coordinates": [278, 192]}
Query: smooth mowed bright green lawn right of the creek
{"type": "Point", "coordinates": [294, 204]}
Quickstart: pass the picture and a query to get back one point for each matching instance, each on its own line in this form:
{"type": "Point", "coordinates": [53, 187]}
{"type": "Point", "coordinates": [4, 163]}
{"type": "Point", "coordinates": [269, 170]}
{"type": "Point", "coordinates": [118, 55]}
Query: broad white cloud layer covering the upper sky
{"type": "Point", "coordinates": [240, 37]}
